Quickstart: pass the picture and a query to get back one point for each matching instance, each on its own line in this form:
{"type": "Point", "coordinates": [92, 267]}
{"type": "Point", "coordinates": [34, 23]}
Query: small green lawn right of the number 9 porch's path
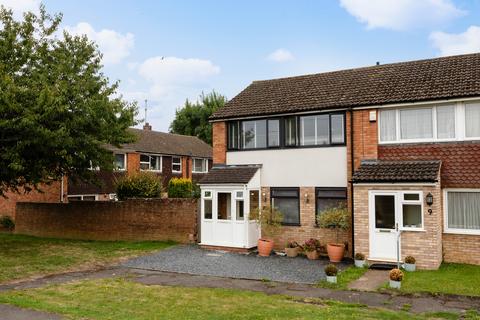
{"type": "Point", "coordinates": [451, 278]}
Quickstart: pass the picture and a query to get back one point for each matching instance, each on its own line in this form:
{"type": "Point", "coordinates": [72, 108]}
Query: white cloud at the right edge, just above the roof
{"type": "Point", "coordinates": [457, 43]}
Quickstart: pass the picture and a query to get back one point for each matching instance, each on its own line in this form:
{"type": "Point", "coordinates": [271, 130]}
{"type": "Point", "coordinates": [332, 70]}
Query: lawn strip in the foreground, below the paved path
{"type": "Point", "coordinates": [123, 299]}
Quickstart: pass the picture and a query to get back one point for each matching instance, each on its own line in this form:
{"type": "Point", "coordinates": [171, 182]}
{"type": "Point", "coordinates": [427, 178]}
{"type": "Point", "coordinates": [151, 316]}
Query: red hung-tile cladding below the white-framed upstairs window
{"type": "Point", "coordinates": [460, 160]}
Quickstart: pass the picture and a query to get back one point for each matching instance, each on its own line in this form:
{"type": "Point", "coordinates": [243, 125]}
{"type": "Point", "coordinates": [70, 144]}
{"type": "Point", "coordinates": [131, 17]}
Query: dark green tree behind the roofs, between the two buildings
{"type": "Point", "coordinates": [192, 118]}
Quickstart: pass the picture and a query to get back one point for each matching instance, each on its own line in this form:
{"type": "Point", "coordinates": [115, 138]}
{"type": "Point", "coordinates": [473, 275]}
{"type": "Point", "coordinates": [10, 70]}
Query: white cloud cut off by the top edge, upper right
{"type": "Point", "coordinates": [401, 14]}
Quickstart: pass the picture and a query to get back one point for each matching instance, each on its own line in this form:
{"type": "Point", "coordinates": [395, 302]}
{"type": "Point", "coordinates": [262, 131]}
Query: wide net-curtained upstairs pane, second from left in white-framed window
{"type": "Point", "coordinates": [416, 123]}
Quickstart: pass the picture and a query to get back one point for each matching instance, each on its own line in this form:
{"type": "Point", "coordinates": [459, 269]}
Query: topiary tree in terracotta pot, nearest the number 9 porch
{"type": "Point", "coordinates": [336, 218]}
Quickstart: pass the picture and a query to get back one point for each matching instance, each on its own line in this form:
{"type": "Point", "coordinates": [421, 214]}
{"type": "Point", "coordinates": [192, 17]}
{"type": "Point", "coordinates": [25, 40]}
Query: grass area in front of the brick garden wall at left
{"type": "Point", "coordinates": [25, 256]}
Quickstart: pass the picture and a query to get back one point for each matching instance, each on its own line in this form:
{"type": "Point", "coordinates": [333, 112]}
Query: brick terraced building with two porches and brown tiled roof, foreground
{"type": "Point", "coordinates": [398, 143]}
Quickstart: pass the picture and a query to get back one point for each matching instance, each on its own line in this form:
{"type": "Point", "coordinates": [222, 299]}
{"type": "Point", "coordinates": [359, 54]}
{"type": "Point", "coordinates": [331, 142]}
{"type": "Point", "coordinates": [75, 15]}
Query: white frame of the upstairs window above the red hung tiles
{"type": "Point", "coordinates": [459, 125]}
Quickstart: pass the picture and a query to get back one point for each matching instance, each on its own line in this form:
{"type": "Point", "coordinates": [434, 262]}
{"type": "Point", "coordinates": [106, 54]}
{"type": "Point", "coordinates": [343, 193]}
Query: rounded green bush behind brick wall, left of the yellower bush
{"type": "Point", "coordinates": [139, 185]}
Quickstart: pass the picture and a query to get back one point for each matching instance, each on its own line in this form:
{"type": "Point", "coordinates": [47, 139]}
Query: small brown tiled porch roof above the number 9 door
{"type": "Point", "coordinates": [397, 171]}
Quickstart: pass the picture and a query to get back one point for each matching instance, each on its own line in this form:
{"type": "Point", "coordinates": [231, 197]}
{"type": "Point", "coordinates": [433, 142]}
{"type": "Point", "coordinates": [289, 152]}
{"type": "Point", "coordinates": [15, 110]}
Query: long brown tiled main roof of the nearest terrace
{"type": "Point", "coordinates": [422, 80]}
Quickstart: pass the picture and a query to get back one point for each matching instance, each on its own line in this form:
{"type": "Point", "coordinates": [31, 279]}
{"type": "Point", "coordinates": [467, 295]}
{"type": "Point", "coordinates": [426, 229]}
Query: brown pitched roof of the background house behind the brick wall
{"type": "Point", "coordinates": [168, 143]}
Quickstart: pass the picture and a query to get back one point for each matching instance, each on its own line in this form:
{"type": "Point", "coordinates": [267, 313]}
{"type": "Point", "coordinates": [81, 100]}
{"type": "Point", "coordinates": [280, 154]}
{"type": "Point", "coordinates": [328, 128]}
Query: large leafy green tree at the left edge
{"type": "Point", "coordinates": [57, 109]}
